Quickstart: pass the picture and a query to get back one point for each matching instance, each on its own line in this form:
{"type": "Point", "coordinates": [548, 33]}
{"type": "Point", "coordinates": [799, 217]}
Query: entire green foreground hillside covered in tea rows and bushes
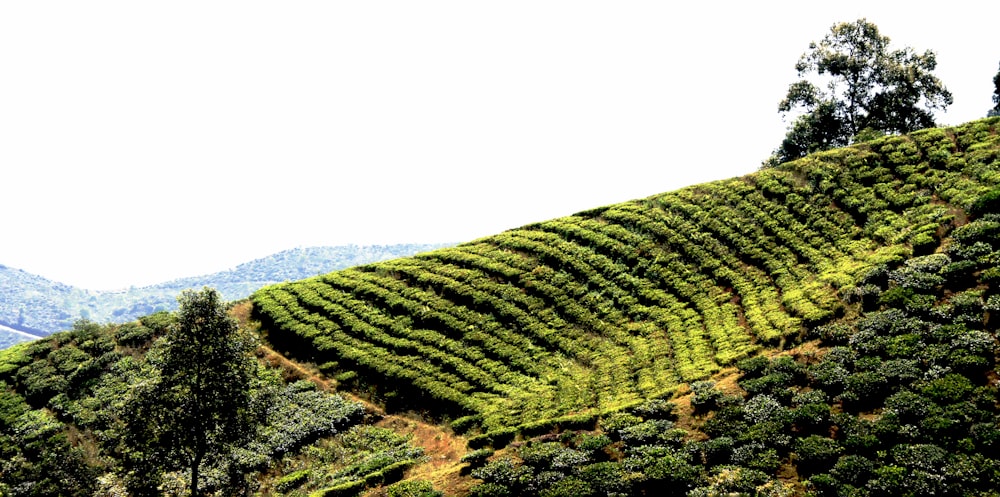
{"type": "Point", "coordinates": [825, 328]}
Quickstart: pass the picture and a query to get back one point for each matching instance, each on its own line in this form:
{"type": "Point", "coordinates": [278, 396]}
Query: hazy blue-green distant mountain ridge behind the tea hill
{"type": "Point", "coordinates": [38, 306]}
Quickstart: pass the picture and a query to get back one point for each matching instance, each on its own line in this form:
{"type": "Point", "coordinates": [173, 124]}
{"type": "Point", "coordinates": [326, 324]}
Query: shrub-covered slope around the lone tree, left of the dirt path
{"type": "Point", "coordinates": [70, 403]}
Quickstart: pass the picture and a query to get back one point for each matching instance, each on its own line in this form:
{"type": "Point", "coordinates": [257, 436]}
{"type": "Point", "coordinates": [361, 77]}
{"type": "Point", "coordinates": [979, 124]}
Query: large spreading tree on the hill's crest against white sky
{"type": "Point", "coordinates": [867, 87]}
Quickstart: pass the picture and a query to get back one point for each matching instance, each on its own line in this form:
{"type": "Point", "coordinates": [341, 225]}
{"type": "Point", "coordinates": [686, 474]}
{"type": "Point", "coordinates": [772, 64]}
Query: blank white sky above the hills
{"type": "Point", "coordinates": [144, 141]}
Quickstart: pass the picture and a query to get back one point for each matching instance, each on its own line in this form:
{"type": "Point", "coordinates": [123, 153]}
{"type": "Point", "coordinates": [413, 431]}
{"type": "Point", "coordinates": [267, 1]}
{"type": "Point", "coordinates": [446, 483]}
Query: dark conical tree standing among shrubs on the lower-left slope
{"type": "Point", "coordinates": [196, 404]}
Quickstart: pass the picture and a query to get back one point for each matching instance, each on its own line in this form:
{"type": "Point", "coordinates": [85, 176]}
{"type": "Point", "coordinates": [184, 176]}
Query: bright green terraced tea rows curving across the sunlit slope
{"type": "Point", "coordinates": [561, 321]}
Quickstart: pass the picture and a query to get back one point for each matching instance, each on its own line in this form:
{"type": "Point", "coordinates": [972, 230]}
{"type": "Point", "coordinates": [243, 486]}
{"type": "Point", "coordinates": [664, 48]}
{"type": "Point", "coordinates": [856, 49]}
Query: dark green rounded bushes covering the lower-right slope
{"type": "Point", "coordinates": [900, 400]}
